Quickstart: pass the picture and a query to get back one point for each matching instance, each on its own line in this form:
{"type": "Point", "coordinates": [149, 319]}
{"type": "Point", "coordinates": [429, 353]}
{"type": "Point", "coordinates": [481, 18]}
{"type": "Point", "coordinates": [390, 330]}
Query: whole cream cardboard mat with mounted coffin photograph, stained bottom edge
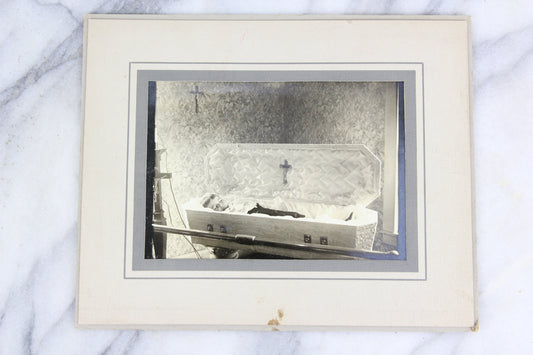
{"type": "Point", "coordinates": [256, 160]}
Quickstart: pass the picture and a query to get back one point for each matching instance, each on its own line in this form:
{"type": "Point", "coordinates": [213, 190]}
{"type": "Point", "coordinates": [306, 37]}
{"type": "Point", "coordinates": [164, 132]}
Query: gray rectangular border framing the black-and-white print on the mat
{"type": "Point", "coordinates": [408, 77]}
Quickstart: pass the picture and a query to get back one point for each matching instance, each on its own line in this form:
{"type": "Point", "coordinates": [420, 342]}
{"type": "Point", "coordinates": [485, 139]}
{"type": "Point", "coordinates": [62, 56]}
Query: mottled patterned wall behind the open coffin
{"type": "Point", "coordinates": [193, 116]}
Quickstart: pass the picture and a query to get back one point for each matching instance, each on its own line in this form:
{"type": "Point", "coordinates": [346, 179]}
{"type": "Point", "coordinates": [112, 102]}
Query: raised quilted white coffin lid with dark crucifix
{"type": "Point", "coordinates": [344, 174]}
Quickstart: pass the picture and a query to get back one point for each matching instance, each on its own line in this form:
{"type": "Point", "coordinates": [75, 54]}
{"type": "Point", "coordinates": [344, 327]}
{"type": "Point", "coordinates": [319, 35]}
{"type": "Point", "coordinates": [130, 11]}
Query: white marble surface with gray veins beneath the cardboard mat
{"type": "Point", "coordinates": [40, 91]}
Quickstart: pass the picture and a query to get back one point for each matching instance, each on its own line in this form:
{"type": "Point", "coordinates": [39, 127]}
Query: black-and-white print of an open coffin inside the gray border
{"type": "Point", "coordinates": [275, 170]}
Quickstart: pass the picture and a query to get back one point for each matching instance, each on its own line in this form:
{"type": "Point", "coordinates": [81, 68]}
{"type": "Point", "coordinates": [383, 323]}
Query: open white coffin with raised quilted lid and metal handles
{"type": "Point", "coordinates": [331, 185]}
